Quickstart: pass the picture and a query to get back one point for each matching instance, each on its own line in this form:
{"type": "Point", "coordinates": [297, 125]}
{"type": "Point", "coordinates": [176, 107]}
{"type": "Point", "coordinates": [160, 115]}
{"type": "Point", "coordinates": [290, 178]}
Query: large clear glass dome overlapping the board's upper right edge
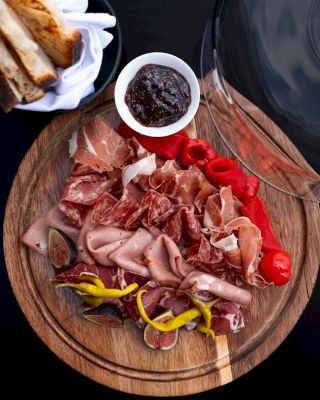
{"type": "Point", "coordinates": [269, 50]}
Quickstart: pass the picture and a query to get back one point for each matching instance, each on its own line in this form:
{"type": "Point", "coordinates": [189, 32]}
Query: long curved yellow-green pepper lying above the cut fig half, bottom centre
{"type": "Point", "coordinates": [170, 325]}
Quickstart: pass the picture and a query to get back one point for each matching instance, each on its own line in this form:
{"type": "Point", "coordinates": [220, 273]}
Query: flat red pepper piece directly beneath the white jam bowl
{"type": "Point", "coordinates": [168, 147]}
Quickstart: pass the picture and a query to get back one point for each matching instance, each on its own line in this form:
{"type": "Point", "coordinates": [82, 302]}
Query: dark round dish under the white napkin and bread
{"type": "Point", "coordinates": [111, 54]}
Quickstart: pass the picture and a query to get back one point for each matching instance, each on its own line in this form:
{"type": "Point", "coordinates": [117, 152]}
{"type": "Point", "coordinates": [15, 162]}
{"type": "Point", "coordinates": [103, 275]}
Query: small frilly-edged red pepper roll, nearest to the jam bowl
{"type": "Point", "coordinates": [196, 151]}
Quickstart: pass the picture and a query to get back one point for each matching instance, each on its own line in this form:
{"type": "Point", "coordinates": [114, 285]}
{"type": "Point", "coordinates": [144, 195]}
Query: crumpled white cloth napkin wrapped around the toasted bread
{"type": "Point", "coordinates": [76, 82]}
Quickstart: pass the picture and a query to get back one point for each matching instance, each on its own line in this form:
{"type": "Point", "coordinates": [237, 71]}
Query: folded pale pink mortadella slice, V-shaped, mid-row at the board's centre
{"type": "Point", "coordinates": [129, 255]}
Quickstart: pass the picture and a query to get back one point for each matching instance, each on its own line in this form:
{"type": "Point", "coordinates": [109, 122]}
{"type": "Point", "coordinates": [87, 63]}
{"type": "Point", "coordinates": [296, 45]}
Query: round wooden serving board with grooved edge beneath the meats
{"type": "Point", "coordinates": [119, 358]}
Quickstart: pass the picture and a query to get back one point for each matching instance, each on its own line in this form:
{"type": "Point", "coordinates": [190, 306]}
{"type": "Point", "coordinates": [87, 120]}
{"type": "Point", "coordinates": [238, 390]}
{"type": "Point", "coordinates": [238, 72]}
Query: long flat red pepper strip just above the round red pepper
{"type": "Point", "coordinates": [257, 213]}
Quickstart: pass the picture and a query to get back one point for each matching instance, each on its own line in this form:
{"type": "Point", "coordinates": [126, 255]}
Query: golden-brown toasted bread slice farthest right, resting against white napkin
{"type": "Point", "coordinates": [60, 41]}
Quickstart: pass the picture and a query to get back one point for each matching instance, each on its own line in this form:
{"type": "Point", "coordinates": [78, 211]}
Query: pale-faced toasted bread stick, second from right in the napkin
{"type": "Point", "coordinates": [33, 58]}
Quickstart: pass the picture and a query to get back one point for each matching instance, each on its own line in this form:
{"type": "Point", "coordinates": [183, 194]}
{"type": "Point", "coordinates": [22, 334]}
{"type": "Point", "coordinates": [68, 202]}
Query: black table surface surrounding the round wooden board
{"type": "Point", "coordinates": [173, 26]}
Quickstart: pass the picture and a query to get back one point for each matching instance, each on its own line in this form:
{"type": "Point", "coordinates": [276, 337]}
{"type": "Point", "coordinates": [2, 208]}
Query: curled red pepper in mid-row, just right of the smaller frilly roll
{"type": "Point", "coordinates": [223, 171]}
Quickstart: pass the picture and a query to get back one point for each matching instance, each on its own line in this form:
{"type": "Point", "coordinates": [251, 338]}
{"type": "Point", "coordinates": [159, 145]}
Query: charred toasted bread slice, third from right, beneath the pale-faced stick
{"type": "Point", "coordinates": [10, 68]}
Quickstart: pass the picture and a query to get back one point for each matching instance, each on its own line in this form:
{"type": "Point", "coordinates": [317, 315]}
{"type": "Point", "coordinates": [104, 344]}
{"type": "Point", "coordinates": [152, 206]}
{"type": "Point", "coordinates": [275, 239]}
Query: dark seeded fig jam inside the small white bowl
{"type": "Point", "coordinates": [158, 95]}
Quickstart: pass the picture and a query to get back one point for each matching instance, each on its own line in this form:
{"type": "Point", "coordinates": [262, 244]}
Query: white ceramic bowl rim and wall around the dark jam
{"type": "Point", "coordinates": [129, 72]}
